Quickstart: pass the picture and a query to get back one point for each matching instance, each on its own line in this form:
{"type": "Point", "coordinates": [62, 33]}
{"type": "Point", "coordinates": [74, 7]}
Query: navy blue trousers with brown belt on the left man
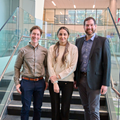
{"type": "Point", "coordinates": [31, 89]}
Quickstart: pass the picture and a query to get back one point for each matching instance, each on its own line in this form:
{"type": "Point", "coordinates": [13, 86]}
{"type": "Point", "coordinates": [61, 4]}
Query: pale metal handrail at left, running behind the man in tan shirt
{"type": "Point", "coordinates": [15, 51]}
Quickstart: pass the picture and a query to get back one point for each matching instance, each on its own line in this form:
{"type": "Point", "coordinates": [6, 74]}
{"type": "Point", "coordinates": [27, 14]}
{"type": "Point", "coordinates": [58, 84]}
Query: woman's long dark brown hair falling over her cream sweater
{"type": "Point", "coordinates": [56, 47]}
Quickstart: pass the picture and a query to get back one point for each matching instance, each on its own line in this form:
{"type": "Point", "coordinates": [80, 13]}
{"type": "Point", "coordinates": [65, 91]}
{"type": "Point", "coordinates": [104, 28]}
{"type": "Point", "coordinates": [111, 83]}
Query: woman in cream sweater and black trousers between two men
{"type": "Point", "coordinates": [62, 60]}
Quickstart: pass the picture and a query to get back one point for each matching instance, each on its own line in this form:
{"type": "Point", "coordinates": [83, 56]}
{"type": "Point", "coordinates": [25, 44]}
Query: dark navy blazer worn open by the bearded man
{"type": "Point", "coordinates": [99, 64]}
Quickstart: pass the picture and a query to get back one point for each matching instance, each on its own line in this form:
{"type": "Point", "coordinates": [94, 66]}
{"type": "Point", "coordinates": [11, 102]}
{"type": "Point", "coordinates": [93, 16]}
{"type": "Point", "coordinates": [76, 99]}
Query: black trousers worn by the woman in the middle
{"type": "Point", "coordinates": [66, 89]}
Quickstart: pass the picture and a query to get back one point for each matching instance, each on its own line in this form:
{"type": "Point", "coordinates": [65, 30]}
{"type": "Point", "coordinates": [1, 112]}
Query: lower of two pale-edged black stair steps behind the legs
{"type": "Point", "coordinates": [76, 111]}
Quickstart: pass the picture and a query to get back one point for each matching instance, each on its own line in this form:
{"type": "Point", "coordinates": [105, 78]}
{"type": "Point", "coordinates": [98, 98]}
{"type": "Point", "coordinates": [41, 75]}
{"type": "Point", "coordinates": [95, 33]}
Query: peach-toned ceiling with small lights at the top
{"type": "Point", "coordinates": [79, 4]}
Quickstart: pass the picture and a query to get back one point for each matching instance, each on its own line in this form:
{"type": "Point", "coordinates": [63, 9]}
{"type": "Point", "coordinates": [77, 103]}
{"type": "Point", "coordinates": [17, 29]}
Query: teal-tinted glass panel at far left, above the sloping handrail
{"type": "Point", "coordinates": [8, 39]}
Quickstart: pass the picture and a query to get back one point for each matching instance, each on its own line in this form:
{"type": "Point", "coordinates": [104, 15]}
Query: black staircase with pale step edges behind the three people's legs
{"type": "Point", "coordinates": [76, 109]}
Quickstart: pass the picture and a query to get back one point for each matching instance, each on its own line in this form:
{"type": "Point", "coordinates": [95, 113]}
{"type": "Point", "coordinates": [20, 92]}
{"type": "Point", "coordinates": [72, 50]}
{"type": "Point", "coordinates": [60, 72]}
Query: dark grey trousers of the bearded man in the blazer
{"type": "Point", "coordinates": [90, 99]}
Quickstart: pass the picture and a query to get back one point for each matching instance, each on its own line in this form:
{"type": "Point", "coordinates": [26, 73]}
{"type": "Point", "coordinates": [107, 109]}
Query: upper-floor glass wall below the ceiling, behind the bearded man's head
{"type": "Point", "coordinates": [71, 16]}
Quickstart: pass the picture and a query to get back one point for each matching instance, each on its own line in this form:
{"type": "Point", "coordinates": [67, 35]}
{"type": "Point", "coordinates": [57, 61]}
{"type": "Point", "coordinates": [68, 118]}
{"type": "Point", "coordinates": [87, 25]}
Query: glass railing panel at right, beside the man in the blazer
{"type": "Point", "coordinates": [108, 29]}
